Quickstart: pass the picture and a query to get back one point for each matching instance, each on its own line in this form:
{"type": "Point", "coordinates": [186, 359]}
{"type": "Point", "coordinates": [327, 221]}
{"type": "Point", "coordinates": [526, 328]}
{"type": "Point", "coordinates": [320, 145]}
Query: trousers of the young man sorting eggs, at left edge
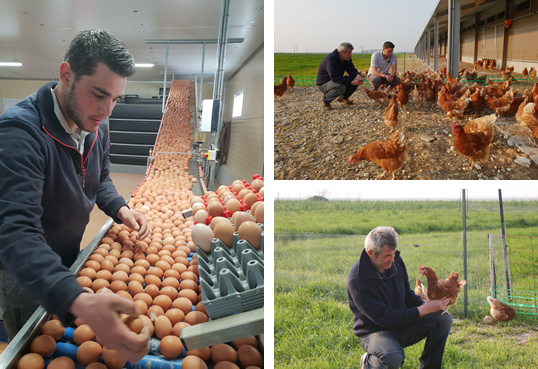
{"type": "Point", "coordinates": [16, 304]}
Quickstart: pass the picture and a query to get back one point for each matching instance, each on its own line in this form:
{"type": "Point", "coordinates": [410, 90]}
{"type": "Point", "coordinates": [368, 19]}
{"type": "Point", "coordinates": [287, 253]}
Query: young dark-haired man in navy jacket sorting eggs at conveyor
{"type": "Point", "coordinates": [53, 169]}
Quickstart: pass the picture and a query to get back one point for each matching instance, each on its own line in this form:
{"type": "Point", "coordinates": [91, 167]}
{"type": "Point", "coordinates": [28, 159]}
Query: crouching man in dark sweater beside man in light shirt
{"type": "Point", "coordinates": [331, 79]}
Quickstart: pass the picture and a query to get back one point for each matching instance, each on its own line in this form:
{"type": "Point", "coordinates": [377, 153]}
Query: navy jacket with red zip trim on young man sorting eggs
{"type": "Point", "coordinates": [47, 191]}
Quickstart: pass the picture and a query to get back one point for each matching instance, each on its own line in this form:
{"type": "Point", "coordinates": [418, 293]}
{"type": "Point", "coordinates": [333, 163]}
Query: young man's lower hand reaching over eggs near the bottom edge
{"type": "Point", "coordinates": [101, 312]}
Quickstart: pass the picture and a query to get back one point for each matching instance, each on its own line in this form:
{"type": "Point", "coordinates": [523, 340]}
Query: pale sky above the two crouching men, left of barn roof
{"type": "Point", "coordinates": [320, 26]}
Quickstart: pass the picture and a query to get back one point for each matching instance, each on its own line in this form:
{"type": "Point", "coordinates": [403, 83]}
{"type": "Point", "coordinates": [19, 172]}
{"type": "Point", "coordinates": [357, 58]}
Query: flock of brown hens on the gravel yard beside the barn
{"type": "Point", "coordinates": [456, 97]}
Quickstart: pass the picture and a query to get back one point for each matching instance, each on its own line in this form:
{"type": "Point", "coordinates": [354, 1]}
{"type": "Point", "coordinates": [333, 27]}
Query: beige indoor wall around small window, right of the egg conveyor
{"type": "Point", "coordinates": [245, 156]}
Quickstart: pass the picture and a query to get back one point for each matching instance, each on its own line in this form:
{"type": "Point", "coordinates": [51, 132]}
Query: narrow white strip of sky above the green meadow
{"type": "Point", "coordinates": [407, 190]}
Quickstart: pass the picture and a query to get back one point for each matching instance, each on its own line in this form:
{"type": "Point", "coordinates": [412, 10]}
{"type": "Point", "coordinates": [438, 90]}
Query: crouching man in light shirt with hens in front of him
{"type": "Point", "coordinates": [381, 62]}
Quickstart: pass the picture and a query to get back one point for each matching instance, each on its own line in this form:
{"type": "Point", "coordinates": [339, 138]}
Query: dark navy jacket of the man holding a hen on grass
{"type": "Point", "coordinates": [380, 301]}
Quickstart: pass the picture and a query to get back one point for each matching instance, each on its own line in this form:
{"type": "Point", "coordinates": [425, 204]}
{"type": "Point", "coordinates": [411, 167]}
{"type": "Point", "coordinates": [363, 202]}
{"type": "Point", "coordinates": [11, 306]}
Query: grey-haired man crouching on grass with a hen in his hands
{"type": "Point", "coordinates": [388, 316]}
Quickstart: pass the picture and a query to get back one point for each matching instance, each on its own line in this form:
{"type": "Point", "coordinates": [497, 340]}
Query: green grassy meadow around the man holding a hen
{"type": "Point", "coordinates": [317, 242]}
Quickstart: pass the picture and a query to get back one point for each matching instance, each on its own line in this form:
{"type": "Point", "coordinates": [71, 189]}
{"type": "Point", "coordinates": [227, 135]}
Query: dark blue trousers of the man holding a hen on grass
{"type": "Point", "coordinates": [385, 348]}
